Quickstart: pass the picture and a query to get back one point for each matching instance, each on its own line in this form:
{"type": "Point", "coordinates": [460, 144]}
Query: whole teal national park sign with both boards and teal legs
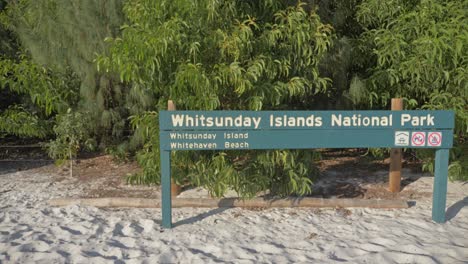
{"type": "Point", "coordinates": [221, 130]}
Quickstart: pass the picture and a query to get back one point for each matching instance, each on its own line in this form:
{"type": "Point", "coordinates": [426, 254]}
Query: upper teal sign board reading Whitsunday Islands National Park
{"type": "Point", "coordinates": [289, 120]}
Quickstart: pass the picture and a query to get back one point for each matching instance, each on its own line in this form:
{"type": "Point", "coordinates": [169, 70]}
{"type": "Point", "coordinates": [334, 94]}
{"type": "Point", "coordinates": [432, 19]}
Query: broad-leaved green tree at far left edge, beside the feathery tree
{"type": "Point", "coordinates": [31, 94]}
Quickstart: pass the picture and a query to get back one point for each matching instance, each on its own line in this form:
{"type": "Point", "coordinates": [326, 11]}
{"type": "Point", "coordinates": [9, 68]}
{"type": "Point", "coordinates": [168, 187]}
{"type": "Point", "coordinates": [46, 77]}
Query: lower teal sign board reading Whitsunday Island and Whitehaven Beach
{"type": "Point", "coordinates": [296, 139]}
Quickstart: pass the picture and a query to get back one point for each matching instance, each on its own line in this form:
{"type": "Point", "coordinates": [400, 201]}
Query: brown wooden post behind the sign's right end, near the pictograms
{"type": "Point", "coordinates": [394, 180]}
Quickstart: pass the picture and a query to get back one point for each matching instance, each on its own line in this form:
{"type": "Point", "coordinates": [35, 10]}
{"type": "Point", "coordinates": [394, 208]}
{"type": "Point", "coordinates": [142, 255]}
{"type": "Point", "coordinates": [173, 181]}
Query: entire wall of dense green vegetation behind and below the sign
{"type": "Point", "coordinates": [93, 74]}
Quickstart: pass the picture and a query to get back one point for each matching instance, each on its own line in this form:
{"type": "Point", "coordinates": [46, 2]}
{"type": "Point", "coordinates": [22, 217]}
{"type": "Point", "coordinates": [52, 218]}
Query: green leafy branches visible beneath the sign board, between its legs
{"type": "Point", "coordinates": [280, 172]}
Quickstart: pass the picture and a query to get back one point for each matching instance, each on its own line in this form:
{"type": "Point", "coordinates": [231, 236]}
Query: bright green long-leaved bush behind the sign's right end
{"type": "Point", "coordinates": [419, 52]}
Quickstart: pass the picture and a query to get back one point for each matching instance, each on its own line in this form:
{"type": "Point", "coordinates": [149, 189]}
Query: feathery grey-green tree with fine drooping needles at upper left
{"type": "Point", "coordinates": [66, 36]}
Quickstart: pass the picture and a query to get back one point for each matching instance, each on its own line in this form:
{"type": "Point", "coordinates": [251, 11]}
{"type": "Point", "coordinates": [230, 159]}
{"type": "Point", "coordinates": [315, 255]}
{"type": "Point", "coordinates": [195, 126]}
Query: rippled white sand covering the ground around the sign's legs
{"type": "Point", "coordinates": [33, 232]}
